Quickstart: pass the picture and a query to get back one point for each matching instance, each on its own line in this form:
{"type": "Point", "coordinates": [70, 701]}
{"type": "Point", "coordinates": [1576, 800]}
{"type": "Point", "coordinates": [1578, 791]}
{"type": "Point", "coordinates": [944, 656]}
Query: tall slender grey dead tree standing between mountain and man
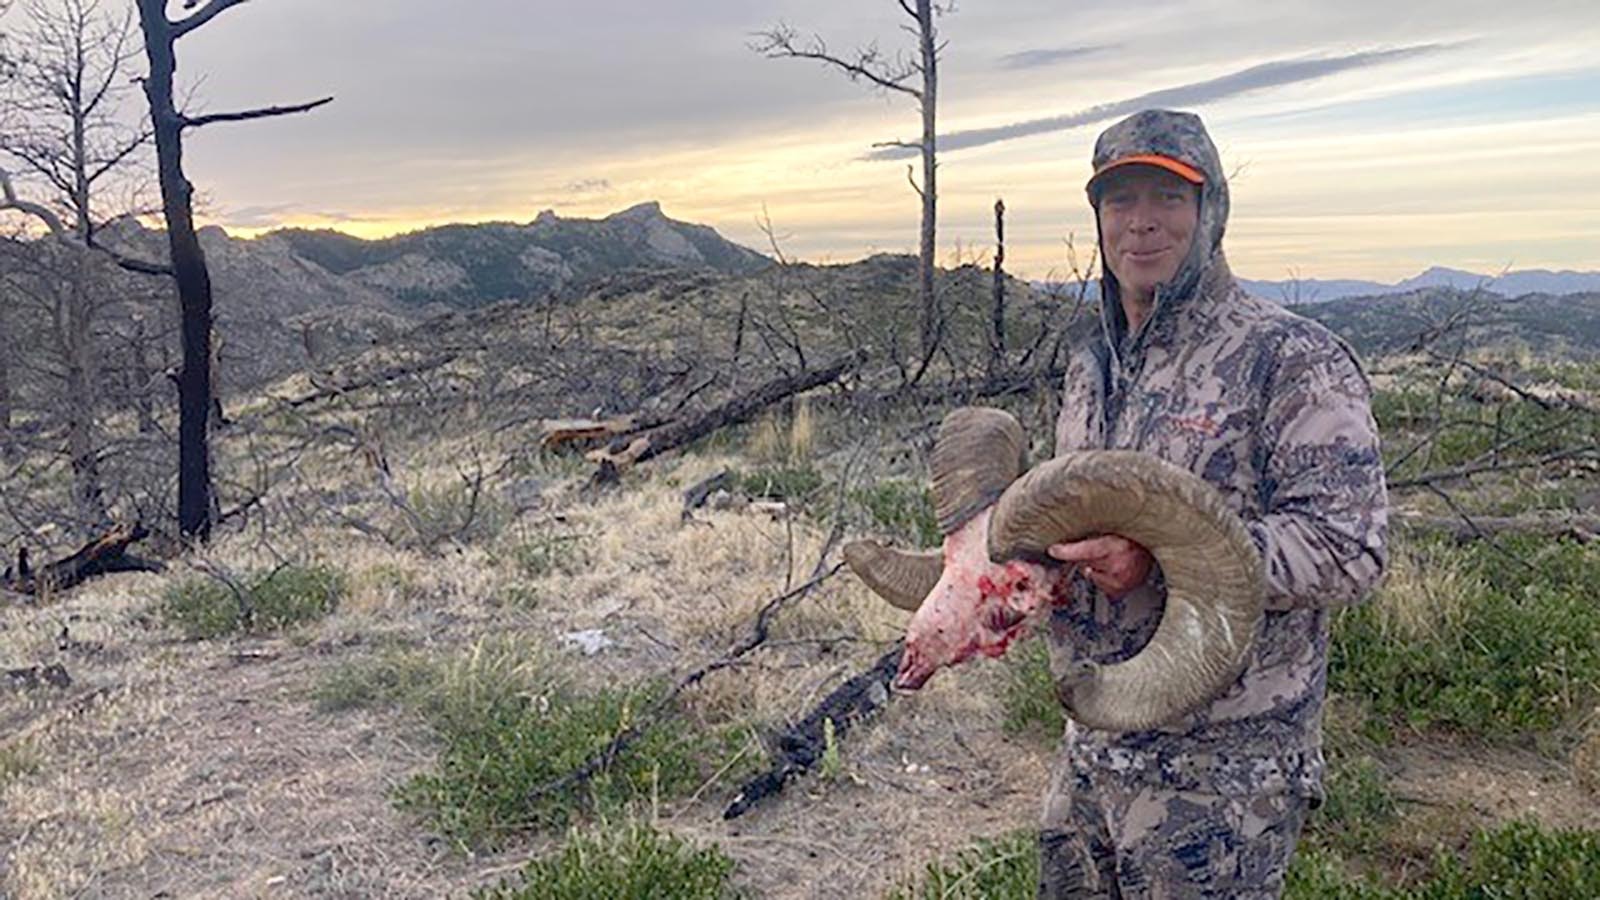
{"type": "Point", "coordinates": [898, 74]}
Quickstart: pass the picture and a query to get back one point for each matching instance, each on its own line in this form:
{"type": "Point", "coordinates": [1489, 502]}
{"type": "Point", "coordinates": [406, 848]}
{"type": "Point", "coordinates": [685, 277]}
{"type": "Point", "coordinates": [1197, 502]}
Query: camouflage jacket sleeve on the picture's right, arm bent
{"type": "Point", "coordinates": [1326, 512]}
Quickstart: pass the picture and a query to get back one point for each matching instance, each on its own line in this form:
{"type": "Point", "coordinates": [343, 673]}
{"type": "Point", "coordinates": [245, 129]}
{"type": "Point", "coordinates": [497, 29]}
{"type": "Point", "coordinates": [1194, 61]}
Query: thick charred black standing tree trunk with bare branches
{"type": "Point", "coordinates": [188, 260]}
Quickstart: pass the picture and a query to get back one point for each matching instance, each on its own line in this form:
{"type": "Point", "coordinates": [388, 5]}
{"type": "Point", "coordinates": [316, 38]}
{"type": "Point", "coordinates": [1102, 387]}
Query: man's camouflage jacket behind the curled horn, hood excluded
{"type": "Point", "coordinates": [1274, 411]}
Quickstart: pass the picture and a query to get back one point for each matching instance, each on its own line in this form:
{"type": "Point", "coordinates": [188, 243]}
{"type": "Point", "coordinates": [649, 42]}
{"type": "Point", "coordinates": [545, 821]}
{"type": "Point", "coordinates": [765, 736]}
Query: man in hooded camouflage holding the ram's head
{"type": "Point", "coordinates": [1274, 412]}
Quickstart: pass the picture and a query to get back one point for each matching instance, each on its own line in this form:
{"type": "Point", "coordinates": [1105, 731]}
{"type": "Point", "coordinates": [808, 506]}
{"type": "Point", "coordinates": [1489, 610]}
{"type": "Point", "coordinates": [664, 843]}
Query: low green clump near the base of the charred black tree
{"type": "Point", "coordinates": [265, 603]}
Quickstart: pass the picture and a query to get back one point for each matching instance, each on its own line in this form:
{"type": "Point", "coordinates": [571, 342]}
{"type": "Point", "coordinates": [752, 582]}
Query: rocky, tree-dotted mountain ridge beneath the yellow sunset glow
{"type": "Point", "coordinates": [474, 265]}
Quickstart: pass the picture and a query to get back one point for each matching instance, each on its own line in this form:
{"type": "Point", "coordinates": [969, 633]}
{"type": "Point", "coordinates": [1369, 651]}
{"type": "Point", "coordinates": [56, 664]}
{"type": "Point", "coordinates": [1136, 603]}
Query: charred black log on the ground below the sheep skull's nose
{"type": "Point", "coordinates": [801, 747]}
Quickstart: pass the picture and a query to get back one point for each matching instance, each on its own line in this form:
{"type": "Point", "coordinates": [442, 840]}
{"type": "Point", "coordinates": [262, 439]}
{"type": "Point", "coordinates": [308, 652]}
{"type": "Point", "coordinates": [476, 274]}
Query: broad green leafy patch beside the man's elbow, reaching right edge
{"type": "Point", "coordinates": [1518, 656]}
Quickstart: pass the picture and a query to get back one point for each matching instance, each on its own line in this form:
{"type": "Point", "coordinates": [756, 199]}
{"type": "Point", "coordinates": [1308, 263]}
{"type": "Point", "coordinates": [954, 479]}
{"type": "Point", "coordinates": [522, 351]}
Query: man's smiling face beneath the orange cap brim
{"type": "Point", "coordinates": [1148, 220]}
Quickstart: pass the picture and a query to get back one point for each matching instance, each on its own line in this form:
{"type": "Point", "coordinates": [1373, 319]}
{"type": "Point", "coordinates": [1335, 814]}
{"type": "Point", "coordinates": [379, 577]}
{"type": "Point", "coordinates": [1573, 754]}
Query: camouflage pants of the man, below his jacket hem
{"type": "Point", "coordinates": [1110, 842]}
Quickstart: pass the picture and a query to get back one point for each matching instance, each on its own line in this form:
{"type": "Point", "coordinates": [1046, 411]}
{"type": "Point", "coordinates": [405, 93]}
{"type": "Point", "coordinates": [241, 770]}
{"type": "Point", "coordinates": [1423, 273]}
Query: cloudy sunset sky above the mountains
{"type": "Point", "coordinates": [1364, 139]}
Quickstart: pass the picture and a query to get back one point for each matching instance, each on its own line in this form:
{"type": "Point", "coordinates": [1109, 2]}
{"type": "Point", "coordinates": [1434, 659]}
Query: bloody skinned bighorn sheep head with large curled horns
{"type": "Point", "coordinates": [994, 576]}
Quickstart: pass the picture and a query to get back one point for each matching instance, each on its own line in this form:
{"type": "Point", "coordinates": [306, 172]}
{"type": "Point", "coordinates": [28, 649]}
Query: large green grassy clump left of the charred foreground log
{"type": "Point", "coordinates": [511, 726]}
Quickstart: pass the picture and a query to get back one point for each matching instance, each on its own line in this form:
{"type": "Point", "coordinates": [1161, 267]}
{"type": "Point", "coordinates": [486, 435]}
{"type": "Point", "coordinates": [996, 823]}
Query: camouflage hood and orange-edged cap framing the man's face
{"type": "Point", "coordinates": [1180, 137]}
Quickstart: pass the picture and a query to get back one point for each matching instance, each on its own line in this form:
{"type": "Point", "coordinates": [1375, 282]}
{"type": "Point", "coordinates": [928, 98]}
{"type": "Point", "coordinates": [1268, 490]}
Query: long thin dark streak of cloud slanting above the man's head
{"type": "Point", "coordinates": [1257, 78]}
